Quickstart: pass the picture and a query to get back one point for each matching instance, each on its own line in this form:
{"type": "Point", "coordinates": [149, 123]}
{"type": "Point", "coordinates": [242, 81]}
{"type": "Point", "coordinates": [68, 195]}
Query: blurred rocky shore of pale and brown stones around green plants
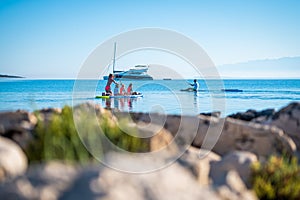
{"type": "Point", "coordinates": [229, 148]}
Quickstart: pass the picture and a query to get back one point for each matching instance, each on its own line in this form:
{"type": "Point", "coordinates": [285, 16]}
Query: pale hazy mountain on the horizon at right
{"type": "Point", "coordinates": [286, 67]}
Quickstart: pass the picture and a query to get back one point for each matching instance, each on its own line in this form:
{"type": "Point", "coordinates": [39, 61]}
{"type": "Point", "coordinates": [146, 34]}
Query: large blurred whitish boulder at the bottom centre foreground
{"type": "Point", "coordinates": [172, 182]}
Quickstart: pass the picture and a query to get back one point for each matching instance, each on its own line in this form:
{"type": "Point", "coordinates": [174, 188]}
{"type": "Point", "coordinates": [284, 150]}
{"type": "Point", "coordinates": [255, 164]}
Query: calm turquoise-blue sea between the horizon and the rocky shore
{"type": "Point", "coordinates": [163, 96]}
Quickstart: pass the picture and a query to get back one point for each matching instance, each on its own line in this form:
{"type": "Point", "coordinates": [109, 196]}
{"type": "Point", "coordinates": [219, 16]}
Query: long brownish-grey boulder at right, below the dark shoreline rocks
{"type": "Point", "coordinates": [262, 140]}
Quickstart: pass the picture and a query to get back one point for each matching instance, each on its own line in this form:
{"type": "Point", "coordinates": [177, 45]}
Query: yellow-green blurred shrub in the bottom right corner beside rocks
{"type": "Point", "coordinates": [278, 178]}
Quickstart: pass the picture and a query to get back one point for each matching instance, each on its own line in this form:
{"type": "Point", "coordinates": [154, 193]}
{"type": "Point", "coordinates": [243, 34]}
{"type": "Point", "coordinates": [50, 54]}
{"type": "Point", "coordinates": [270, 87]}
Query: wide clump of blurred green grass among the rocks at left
{"type": "Point", "coordinates": [57, 138]}
